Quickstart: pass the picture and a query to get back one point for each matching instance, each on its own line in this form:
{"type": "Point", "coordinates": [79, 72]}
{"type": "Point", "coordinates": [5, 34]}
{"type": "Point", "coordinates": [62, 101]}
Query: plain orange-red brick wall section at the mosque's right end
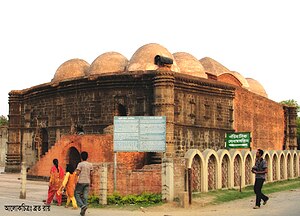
{"type": "Point", "coordinates": [261, 116]}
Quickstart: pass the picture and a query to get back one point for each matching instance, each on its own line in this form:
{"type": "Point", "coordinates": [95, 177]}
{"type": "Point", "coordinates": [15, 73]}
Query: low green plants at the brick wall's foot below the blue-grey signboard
{"type": "Point", "coordinates": [144, 198]}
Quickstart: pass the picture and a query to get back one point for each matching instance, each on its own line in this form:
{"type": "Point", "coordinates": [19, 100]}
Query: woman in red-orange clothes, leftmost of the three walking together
{"type": "Point", "coordinates": [56, 178]}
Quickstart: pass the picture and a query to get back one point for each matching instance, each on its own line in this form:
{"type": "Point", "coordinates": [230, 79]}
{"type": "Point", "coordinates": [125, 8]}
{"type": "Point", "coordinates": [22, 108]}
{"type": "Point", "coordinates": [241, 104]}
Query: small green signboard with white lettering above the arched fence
{"type": "Point", "coordinates": [238, 140]}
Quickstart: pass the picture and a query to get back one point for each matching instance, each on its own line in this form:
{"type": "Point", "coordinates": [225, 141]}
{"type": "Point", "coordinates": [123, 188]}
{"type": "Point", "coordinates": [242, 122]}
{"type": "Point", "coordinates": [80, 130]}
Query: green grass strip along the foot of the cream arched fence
{"type": "Point", "coordinates": [220, 196]}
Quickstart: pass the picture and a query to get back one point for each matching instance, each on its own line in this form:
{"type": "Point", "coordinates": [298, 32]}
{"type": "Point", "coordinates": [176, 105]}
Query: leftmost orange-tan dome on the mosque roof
{"type": "Point", "coordinates": [70, 69]}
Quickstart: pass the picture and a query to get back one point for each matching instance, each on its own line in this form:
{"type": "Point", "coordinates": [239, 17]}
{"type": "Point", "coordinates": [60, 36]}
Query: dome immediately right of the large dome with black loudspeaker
{"type": "Point", "coordinates": [188, 64]}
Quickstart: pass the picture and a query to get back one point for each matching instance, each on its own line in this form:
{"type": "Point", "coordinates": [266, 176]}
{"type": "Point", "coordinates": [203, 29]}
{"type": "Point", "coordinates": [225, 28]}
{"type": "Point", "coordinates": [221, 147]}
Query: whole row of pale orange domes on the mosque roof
{"type": "Point", "coordinates": [143, 60]}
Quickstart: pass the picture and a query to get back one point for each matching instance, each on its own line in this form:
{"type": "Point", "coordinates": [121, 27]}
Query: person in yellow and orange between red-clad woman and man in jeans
{"type": "Point", "coordinates": [69, 183]}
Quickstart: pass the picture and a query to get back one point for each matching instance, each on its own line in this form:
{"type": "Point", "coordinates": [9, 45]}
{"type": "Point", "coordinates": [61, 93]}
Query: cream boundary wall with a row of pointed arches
{"type": "Point", "coordinates": [232, 168]}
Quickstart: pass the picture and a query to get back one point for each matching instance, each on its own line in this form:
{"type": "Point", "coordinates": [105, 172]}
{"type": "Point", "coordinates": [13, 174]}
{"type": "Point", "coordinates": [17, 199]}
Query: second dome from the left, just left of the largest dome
{"type": "Point", "coordinates": [108, 62]}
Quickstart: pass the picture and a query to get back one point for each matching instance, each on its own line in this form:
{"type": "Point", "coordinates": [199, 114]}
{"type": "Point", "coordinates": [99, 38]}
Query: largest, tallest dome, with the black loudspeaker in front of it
{"type": "Point", "coordinates": [143, 58]}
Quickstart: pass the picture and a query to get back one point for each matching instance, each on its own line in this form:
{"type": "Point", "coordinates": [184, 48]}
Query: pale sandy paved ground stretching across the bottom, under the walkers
{"type": "Point", "coordinates": [283, 203]}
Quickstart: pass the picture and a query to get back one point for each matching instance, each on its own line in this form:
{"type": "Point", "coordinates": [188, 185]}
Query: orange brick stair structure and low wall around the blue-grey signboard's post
{"type": "Point", "coordinates": [133, 177]}
